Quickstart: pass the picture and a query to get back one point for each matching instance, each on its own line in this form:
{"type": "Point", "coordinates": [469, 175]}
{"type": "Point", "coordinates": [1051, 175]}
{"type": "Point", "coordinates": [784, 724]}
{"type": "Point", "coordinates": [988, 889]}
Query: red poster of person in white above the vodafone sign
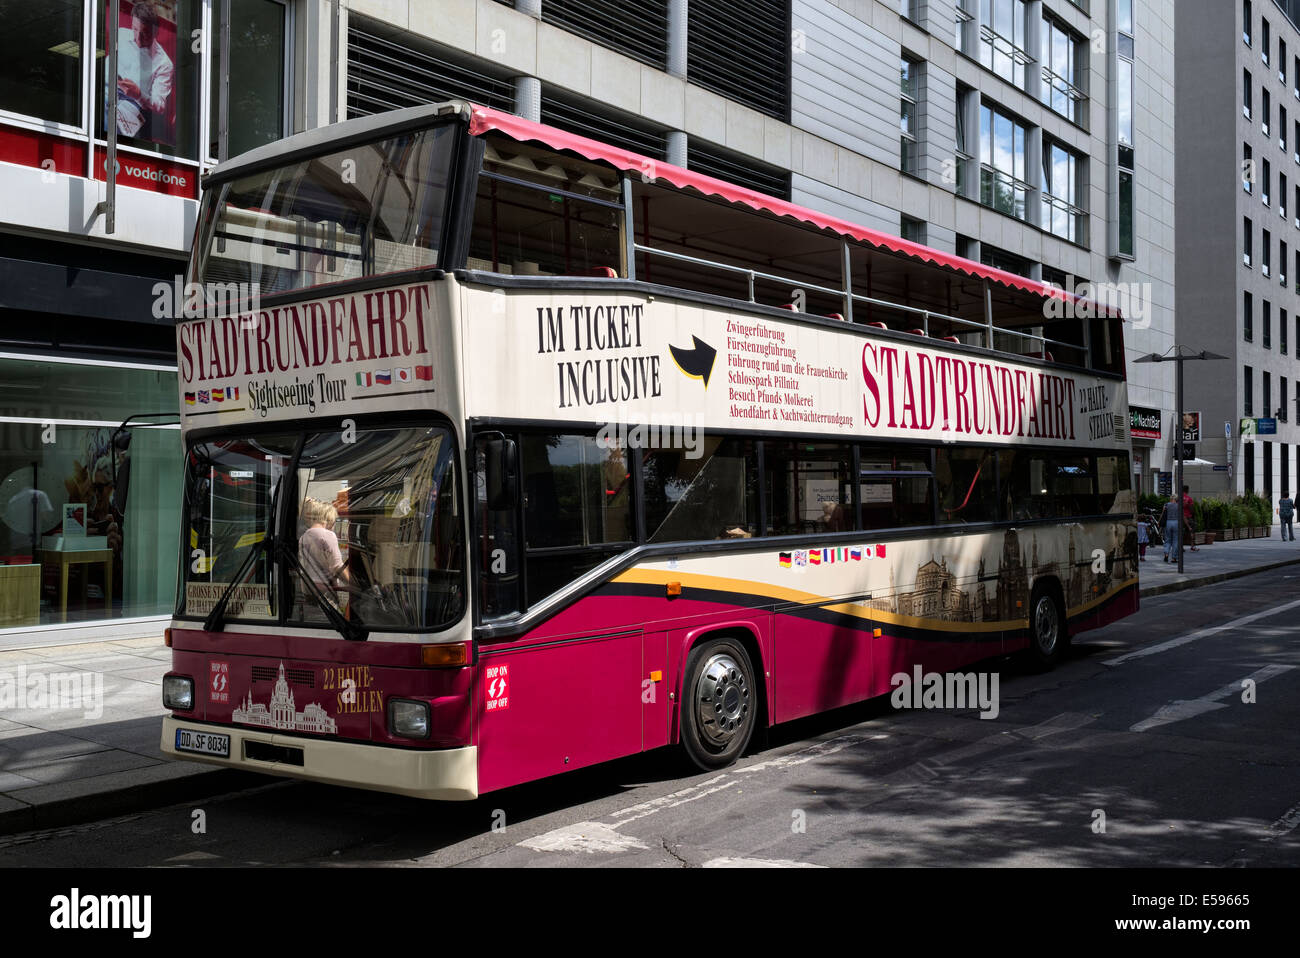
{"type": "Point", "coordinates": [145, 86]}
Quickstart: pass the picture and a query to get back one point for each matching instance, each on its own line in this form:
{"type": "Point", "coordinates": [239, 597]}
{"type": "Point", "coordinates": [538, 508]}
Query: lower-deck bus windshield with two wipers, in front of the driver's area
{"type": "Point", "coordinates": [369, 521]}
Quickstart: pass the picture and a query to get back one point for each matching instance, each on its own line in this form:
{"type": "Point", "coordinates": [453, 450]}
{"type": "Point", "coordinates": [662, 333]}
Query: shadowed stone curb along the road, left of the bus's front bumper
{"type": "Point", "coordinates": [123, 801]}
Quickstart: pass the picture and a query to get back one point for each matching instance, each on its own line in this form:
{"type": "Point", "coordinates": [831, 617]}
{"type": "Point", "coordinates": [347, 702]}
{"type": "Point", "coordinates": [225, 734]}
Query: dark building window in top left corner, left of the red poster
{"type": "Point", "coordinates": [41, 60]}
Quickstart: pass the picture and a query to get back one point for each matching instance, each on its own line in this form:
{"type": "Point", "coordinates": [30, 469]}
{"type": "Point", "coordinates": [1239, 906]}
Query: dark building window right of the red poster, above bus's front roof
{"type": "Point", "coordinates": [257, 77]}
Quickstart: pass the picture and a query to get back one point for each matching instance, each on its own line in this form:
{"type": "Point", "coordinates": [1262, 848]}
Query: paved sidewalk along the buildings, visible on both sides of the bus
{"type": "Point", "coordinates": [63, 766]}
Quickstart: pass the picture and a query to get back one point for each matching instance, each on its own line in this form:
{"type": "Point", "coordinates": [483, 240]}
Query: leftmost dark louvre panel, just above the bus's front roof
{"type": "Point", "coordinates": [385, 73]}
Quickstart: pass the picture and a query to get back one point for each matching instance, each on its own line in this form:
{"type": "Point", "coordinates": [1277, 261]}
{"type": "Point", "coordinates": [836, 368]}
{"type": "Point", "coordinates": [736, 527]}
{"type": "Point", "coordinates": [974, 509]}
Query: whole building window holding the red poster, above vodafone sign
{"type": "Point", "coordinates": [155, 94]}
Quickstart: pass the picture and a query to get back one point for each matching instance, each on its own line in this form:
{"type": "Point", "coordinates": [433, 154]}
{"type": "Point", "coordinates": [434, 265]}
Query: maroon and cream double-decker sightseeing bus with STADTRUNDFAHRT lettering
{"type": "Point", "coordinates": [534, 453]}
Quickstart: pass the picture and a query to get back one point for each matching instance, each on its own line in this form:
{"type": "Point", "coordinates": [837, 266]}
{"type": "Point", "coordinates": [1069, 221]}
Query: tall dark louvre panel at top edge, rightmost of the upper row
{"type": "Point", "coordinates": [740, 49]}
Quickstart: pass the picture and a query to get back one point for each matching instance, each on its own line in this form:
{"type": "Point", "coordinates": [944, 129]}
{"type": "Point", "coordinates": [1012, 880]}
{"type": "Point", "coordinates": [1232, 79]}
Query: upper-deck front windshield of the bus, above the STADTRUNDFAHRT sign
{"type": "Point", "coordinates": [371, 210]}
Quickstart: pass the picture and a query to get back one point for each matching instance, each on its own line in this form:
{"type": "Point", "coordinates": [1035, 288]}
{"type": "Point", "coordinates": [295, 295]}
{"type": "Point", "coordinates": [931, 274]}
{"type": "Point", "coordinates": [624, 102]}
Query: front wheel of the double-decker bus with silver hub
{"type": "Point", "coordinates": [720, 704]}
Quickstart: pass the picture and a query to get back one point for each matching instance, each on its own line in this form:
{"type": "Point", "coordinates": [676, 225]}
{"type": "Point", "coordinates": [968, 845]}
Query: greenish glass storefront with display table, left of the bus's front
{"type": "Point", "coordinates": [89, 511]}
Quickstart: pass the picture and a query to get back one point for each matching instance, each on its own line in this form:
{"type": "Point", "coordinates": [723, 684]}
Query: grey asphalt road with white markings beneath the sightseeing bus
{"type": "Point", "coordinates": [1139, 751]}
